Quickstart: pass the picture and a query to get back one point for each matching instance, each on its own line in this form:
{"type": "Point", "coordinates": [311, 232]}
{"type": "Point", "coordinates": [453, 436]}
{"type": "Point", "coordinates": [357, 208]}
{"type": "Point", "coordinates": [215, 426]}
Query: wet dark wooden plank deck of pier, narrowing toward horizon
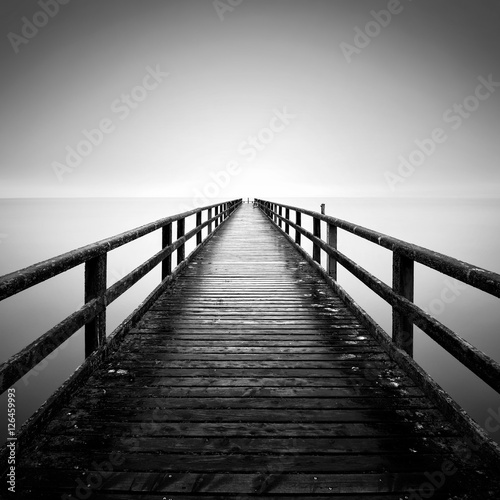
{"type": "Point", "coordinates": [247, 378]}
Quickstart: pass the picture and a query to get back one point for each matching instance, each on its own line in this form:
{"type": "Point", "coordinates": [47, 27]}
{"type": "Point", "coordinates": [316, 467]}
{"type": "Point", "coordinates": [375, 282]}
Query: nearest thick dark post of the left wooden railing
{"type": "Point", "coordinates": [95, 287]}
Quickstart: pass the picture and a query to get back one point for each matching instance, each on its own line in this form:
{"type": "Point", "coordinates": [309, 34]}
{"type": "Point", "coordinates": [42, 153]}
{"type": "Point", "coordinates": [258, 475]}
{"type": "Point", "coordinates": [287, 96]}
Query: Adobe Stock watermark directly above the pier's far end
{"type": "Point", "coordinates": [249, 149]}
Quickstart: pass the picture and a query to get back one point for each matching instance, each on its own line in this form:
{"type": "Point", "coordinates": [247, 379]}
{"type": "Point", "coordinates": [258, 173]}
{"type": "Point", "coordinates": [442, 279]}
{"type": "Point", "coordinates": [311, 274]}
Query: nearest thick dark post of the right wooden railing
{"type": "Point", "coordinates": [402, 284]}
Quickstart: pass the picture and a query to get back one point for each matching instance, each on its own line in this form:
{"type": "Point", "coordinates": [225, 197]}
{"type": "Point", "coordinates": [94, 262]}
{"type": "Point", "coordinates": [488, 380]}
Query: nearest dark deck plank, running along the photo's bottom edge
{"type": "Point", "coordinates": [261, 484]}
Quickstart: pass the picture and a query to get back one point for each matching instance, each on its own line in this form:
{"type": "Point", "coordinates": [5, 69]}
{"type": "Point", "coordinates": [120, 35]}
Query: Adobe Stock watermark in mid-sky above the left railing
{"type": "Point", "coordinates": [122, 107]}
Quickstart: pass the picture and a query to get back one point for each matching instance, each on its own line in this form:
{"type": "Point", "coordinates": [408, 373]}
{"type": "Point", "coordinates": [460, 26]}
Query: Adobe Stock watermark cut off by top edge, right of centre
{"type": "Point", "coordinates": [373, 28]}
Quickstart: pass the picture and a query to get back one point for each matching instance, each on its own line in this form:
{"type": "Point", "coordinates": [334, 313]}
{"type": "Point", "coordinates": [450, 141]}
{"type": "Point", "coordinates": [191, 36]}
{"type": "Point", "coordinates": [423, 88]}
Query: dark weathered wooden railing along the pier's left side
{"type": "Point", "coordinates": [92, 314]}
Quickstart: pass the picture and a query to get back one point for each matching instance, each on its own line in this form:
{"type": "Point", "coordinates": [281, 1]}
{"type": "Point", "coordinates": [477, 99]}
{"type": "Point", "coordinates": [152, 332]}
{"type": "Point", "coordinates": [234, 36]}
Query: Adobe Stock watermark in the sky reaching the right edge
{"type": "Point", "coordinates": [454, 117]}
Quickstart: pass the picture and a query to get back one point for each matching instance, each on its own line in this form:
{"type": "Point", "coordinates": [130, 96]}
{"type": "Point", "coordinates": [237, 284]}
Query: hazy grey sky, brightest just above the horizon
{"type": "Point", "coordinates": [249, 97]}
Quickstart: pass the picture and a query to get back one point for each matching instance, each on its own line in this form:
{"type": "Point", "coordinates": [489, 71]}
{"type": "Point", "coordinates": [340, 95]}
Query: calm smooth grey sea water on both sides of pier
{"type": "Point", "coordinates": [32, 230]}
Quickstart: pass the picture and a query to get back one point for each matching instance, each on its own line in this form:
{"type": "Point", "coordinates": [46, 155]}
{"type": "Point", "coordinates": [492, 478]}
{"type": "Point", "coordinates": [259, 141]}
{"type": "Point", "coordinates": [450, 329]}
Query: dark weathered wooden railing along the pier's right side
{"type": "Point", "coordinates": [405, 313]}
